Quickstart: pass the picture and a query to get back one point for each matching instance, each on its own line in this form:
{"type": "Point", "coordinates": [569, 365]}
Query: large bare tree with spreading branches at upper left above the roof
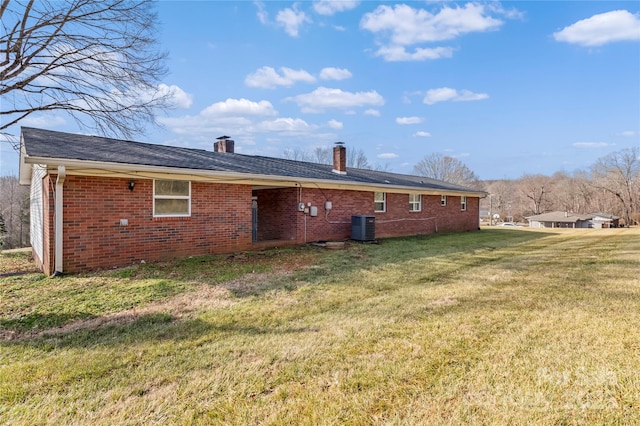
{"type": "Point", "coordinates": [94, 59]}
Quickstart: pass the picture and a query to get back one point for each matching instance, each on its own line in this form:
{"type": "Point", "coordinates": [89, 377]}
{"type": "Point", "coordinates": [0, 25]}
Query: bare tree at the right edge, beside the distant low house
{"type": "Point", "coordinates": [619, 174]}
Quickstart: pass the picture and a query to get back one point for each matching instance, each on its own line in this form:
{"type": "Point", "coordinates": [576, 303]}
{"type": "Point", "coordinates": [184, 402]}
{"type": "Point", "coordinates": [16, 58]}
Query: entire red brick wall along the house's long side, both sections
{"type": "Point", "coordinates": [220, 220]}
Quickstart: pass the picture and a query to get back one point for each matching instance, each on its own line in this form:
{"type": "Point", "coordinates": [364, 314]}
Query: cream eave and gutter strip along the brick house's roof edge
{"type": "Point", "coordinates": [127, 170]}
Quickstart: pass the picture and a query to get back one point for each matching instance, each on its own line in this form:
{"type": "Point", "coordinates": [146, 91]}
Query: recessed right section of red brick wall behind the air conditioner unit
{"type": "Point", "coordinates": [336, 223]}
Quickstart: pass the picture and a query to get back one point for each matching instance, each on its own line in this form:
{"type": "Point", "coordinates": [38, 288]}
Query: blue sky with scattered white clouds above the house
{"type": "Point", "coordinates": [508, 88]}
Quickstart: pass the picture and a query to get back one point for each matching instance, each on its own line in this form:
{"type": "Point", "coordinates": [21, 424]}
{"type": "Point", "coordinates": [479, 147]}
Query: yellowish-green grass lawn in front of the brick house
{"type": "Point", "coordinates": [501, 326]}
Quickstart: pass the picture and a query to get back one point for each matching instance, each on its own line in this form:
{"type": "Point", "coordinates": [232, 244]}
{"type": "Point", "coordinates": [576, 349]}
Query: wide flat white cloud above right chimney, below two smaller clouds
{"type": "Point", "coordinates": [324, 98]}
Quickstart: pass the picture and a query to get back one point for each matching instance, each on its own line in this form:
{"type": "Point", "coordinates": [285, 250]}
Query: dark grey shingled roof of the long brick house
{"type": "Point", "coordinates": [55, 148]}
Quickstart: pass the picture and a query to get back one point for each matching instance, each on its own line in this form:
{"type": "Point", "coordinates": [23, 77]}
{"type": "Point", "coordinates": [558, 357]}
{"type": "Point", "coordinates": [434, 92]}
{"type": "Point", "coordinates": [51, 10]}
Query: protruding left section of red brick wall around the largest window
{"type": "Point", "coordinates": [220, 222]}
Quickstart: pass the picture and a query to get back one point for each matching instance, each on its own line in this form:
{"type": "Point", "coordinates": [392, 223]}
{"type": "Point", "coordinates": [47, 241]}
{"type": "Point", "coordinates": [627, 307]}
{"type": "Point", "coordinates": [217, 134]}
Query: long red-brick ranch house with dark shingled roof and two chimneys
{"type": "Point", "coordinates": [98, 202]}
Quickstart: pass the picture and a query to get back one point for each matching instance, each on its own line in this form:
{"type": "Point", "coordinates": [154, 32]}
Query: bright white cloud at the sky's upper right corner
{"type": "Point", "coordinates": [617, 25]}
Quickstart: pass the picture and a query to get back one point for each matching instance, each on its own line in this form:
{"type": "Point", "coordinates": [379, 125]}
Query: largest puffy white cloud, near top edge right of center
{"type": "Point", "coordinates": [401, 25]}
